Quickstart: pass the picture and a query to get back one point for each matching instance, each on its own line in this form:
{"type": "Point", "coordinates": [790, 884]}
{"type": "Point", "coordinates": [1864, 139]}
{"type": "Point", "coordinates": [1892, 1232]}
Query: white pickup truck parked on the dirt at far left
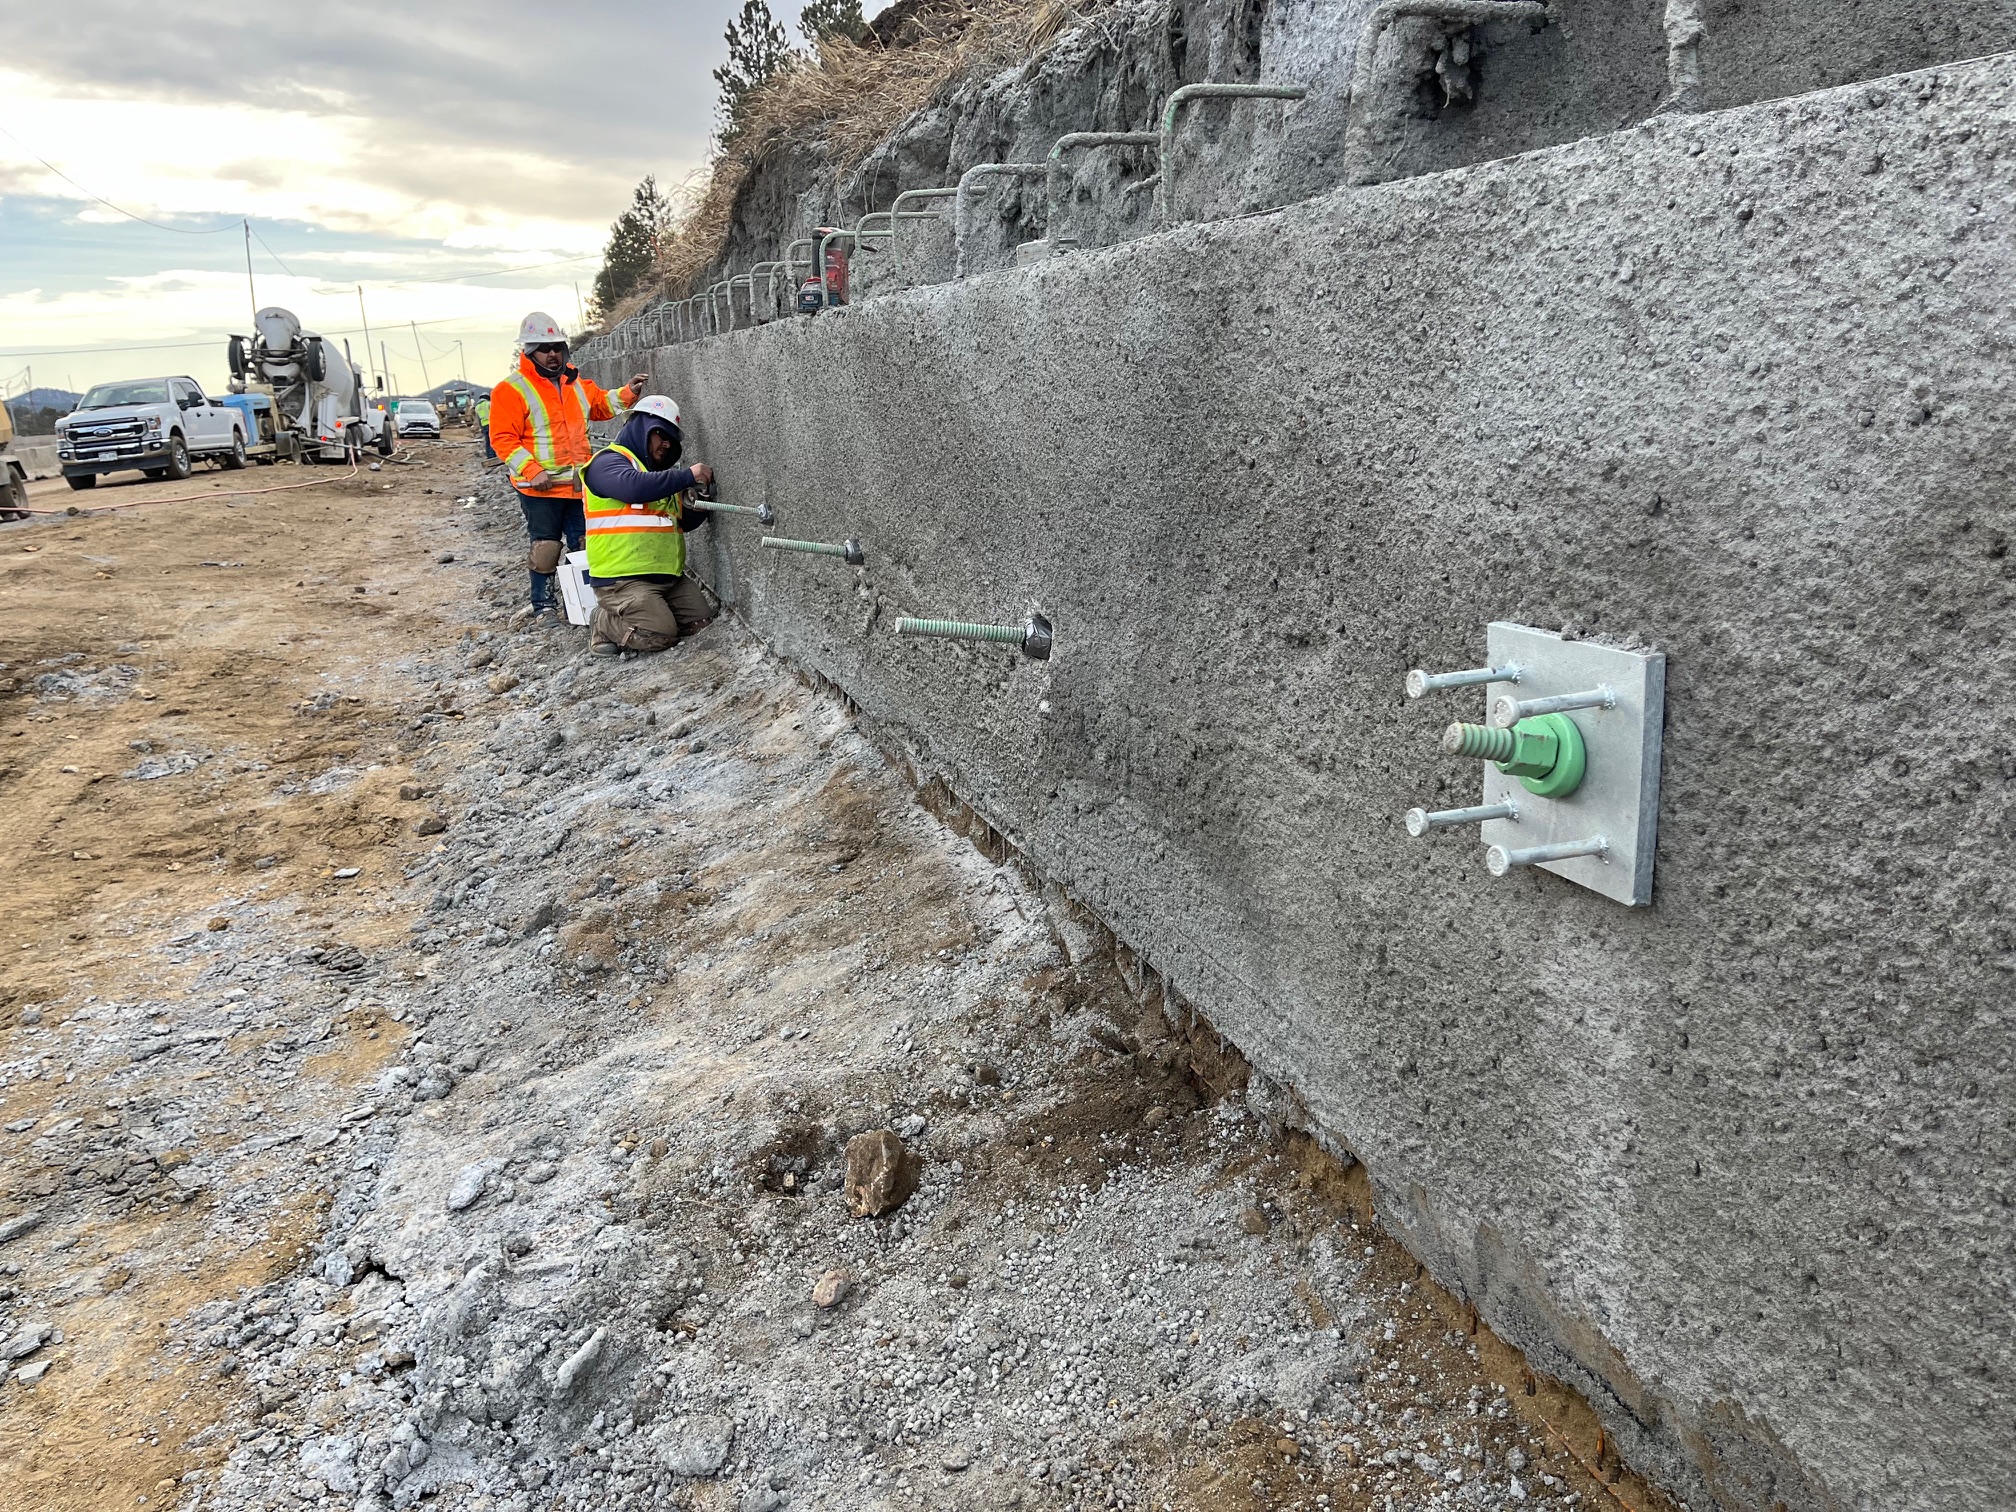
{"type": "Point", "coordinates": [160, 426]}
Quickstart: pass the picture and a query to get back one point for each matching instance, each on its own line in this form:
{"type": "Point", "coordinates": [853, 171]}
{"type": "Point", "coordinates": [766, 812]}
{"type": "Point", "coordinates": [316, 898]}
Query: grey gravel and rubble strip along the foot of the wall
{"type": "Point", "coordinates": [686, 987]}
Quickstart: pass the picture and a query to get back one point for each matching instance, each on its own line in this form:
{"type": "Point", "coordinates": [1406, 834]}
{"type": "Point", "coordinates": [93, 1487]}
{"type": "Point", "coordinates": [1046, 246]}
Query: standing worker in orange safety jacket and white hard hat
{"type": "Point", "coordinates": [539, 424]}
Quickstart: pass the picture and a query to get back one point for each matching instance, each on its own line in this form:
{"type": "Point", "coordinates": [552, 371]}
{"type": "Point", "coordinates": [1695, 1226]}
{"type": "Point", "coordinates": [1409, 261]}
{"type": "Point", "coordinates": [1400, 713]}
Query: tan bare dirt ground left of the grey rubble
{"type": "Point", "coordinates": [231, 616]}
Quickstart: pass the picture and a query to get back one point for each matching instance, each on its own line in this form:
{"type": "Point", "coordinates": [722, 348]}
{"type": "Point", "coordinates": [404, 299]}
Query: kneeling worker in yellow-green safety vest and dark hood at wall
{"type": "Point", "coordinates": [634, 497]}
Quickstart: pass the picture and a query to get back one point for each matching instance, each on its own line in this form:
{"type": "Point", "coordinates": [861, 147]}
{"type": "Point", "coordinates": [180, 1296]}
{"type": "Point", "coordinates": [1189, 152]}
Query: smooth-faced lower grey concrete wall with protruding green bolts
{"type": "Point", "coordinates": [1733, 386]}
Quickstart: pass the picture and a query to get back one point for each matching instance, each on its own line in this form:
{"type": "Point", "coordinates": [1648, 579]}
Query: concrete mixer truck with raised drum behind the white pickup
{"type": "Point", "coordinates": [316, 398]}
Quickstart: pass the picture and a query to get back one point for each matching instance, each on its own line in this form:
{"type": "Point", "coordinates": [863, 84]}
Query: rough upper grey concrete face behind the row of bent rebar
{"type": "Point", "coordinates": [1438, 96]}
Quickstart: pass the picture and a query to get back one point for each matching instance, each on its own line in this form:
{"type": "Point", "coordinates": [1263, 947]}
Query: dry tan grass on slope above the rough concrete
{"type": "Point", "coordinates": [852, 98]}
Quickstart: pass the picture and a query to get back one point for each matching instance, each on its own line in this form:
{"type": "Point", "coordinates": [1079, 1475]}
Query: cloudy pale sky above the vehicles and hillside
{"type": "Point", "coordinates": [398, 148]}
